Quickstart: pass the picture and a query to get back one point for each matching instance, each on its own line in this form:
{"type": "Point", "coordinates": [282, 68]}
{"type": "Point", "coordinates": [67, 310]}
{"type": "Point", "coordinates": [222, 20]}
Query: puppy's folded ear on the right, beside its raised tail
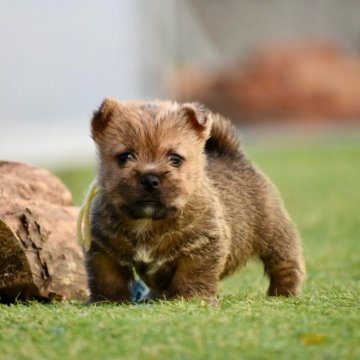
{"type": "Point", "coordinates": [198, 117]}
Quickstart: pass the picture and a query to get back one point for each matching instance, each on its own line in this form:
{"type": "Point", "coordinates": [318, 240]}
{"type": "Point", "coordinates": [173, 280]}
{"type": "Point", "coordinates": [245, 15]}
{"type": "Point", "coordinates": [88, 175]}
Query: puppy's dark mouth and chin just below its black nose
{"type": "Point", "coordinates": [147, 209]}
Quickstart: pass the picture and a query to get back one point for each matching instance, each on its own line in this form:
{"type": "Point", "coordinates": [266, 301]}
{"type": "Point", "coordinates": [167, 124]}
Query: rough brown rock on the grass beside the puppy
{"type": "Point", "coordinates": [39, 256]}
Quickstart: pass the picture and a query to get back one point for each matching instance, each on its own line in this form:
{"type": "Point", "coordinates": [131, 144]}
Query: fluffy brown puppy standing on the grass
{"type": "Point", "coordinates": [181, 205]}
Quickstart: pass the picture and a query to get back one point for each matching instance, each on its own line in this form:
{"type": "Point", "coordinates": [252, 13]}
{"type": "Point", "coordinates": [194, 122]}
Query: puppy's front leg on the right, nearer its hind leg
{"type": "Point", "coordinates": [195, 276]}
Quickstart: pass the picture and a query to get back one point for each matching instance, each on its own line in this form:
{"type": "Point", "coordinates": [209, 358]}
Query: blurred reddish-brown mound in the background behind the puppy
{"type": "Point", "coordinates": [303, 81]}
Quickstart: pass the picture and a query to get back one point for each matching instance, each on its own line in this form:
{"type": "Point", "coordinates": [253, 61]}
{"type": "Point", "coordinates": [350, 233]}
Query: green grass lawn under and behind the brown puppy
{"type": "Point", "coordinates": [320, 185]}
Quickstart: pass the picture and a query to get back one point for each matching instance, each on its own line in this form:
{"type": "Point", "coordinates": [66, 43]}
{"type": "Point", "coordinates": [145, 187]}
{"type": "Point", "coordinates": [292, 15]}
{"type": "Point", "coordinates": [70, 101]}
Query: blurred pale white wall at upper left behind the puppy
{"type": "Point", "coordinates": [58, 60]}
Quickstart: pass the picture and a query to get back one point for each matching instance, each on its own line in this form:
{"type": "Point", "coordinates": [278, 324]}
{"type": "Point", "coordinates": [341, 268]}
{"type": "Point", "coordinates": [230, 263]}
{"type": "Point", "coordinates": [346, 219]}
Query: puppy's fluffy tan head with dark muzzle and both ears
{"type": "Point", "coordinates": [151, 155]}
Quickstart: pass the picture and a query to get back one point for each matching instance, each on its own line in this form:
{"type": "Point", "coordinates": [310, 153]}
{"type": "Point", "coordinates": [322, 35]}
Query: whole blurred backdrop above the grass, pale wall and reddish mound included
{"type": "Point", "coordinates": [278, 68]}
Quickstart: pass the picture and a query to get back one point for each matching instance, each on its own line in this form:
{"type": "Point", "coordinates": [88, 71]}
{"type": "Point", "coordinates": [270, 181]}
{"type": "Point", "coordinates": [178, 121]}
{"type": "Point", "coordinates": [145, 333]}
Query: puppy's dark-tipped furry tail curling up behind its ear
{"type": "Point", "coordinates": [223, 140]}
